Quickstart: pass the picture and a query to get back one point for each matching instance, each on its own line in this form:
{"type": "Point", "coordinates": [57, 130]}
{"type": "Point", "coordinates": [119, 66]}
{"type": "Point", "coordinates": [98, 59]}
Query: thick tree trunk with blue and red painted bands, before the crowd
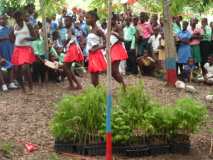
{"type": "Point", "coordinates": [170, 49]}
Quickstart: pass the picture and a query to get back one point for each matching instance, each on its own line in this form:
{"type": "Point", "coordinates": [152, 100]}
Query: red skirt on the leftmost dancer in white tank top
{"type": "Point", "coordinates": [23, 55]}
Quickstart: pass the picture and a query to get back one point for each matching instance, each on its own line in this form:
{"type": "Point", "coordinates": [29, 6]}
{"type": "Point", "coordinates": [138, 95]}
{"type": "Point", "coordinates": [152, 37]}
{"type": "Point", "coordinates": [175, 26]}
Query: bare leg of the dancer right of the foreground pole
{"type": "Point", "coordinates": [116, 74]}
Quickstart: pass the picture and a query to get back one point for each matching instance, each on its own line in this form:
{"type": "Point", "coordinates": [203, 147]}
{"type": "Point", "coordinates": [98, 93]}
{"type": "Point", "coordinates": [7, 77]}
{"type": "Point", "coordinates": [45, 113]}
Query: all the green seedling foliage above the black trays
{"type": "Point", "coordinates": [81, 119]}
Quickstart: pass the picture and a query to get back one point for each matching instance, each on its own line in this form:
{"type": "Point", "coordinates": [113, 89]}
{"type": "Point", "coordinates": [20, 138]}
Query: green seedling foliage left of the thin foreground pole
{"type": "Point", "coordinates": [78, 118]}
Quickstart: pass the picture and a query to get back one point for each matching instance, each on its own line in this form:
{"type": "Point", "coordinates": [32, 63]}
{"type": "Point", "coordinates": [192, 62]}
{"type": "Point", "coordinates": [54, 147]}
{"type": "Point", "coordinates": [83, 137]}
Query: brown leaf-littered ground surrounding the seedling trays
{"type": "Point", "coordinates": [25, 119]}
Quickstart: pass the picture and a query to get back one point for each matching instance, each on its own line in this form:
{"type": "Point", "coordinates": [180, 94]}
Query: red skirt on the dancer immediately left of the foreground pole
{"type": "Point", "coordinates": [97, 62]}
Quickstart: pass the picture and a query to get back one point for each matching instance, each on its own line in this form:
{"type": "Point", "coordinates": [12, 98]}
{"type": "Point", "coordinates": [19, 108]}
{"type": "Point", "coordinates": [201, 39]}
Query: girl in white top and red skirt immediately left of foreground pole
{"type": "Point", "coordinates": [97, 62]}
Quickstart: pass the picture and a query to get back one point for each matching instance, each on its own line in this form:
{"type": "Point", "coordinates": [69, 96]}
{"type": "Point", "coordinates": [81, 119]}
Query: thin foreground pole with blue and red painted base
{"type": "Point", "coordinates": [109, 87]}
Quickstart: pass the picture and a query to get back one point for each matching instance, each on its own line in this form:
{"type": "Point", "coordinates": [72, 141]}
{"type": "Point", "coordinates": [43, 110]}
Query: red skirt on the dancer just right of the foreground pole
{"type": "Point", "coordinates": [118, 52]}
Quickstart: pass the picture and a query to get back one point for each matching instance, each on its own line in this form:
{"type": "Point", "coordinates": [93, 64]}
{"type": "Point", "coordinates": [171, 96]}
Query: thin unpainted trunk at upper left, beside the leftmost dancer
{"type": "Point", "coordinates": [44, 28]}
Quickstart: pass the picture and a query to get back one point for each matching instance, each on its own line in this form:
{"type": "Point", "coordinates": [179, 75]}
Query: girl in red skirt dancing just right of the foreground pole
{"type": "Point", "coordinates": [118, 52]}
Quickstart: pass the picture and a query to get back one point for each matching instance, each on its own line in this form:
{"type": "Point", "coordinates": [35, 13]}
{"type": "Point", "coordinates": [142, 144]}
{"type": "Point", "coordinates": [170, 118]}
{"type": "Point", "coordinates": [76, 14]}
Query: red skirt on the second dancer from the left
{"type": "Point", "coordinates": [74, 54]}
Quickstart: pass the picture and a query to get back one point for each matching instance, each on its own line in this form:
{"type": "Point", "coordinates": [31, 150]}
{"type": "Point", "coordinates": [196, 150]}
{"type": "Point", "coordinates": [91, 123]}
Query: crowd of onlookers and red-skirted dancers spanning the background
{"type": "Point", "coordinates": [76, 39]}
